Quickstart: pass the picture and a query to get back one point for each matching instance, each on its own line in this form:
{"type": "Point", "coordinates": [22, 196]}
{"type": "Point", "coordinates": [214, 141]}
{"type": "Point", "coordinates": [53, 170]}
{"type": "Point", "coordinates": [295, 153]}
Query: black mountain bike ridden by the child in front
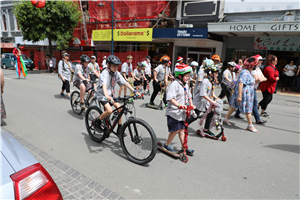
{"type": "Point", "coordinates": [137, 138]}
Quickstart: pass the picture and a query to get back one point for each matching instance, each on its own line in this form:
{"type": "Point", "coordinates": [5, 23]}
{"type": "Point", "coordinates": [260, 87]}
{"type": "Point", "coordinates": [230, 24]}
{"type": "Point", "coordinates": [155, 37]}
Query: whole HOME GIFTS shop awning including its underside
{"type": "Point", "coordinates": [252, 29]}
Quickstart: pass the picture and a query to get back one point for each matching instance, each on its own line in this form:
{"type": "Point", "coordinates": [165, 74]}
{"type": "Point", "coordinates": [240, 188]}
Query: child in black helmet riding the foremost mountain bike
{"type": "Point", "coordinates": [106, 89]}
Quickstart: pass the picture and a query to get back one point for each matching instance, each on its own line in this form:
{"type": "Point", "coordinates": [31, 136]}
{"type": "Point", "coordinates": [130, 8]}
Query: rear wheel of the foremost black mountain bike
{"type": "Point", "coordinates": [96, 134]}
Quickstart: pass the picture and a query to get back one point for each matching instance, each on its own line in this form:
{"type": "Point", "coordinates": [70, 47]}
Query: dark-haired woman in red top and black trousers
{"type": "Point", "coordinates": [268, 87]}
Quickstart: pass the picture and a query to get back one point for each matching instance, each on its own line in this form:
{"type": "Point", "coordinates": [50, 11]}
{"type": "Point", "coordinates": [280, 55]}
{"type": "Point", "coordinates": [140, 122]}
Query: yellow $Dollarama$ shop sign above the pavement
{"type": "Point", "coordinates": [138, 34]}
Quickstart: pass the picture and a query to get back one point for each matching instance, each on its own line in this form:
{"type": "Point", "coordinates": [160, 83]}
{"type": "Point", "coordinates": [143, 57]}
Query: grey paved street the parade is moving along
{"type": "Point", "coordinates": [248, 165]}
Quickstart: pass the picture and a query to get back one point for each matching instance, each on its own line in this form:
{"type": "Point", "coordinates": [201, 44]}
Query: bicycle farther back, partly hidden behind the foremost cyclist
{"type": "Point", "coordinates": [90, 99]}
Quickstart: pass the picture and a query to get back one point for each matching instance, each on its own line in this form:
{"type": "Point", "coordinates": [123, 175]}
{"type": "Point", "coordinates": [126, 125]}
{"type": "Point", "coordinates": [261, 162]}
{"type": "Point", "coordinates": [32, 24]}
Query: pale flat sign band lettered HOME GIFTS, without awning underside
{"type": "Point", "coordinates": [255, 27]}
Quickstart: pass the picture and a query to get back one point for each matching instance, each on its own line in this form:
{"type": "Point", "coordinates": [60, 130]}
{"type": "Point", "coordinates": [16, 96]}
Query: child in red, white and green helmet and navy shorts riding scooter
{"type": "Point", "coordinates": [178, 96]}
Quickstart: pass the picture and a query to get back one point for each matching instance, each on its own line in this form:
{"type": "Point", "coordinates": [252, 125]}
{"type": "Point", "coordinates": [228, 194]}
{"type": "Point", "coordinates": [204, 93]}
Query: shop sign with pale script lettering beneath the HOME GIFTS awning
{"type": "Point", "coordinates": [277, 43]}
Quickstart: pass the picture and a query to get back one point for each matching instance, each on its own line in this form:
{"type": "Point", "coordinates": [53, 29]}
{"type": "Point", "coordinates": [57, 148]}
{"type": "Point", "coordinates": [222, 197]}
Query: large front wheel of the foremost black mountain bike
{"type": "Point", "coordinates": [140, 144]}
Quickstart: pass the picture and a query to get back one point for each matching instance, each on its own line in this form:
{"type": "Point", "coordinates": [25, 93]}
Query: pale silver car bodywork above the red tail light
{"type": "Point", "coordinates": [15, 153]}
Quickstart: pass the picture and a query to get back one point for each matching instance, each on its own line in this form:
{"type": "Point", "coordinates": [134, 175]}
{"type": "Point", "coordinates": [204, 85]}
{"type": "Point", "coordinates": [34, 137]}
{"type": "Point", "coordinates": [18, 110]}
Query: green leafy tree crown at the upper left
{"type": "Point", "coordinates": [56, 21]}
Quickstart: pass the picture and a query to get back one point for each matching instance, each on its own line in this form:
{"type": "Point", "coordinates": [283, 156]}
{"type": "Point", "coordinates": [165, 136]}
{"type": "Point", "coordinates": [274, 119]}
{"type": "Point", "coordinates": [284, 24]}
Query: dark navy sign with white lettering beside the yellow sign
{"type": "Point", "coordinates": [196, 33]}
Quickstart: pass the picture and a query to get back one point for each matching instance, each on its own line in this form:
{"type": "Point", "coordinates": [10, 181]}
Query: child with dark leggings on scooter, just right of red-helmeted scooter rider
{"type": "Point", "coordinates": [204, 95]}
